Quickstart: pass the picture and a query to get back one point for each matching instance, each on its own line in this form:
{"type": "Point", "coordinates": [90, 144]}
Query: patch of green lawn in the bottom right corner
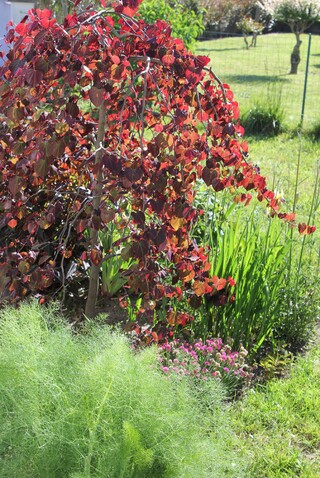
{"type": "Point", "coordinates": [279, 424]}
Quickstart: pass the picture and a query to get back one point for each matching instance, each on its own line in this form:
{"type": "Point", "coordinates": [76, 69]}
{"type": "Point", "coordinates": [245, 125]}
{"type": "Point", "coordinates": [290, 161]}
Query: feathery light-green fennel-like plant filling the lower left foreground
{"type": "Point", "coordinates": [86, 405]}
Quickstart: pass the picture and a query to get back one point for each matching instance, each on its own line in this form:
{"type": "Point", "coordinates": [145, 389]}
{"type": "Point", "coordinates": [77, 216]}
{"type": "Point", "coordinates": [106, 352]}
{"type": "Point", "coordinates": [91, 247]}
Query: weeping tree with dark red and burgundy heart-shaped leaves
{"type": "Point", "coordinates": [108, 119]}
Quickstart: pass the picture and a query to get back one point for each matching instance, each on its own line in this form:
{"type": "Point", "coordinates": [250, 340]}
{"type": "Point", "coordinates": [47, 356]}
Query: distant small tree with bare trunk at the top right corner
{"type": "Point", "coordinates": [299, 15]}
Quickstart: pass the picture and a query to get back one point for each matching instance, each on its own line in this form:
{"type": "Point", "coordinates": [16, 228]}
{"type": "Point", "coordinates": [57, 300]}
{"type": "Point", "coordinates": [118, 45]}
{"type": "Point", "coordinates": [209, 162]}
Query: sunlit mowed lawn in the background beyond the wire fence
{"type": "Point", "coordinates": [261, 73]}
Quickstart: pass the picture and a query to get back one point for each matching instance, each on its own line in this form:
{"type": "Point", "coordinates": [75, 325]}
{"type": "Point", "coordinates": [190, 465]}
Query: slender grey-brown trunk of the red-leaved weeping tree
{"type": "Point", "coordinates": [90, 310]}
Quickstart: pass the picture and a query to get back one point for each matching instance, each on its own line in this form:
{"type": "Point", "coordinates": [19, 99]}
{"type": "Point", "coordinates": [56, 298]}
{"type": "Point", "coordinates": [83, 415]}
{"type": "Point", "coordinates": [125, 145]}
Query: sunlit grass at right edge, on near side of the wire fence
{"type": "Point", "coordinates": [291, 164]}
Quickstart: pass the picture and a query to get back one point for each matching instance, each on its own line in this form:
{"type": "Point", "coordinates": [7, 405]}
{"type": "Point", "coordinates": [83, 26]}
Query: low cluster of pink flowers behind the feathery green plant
{"type": "Point", "coordinates": [207, 360]}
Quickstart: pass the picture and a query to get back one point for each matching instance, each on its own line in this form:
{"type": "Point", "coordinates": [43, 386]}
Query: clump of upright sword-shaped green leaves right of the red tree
{"type": "Point", "coordinates": [253, 253]}
